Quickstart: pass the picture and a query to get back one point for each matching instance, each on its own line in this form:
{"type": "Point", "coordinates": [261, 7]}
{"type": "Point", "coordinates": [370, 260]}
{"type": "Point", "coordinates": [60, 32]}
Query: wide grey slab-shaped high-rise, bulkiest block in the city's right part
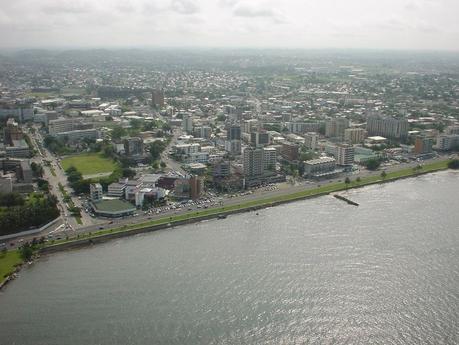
{"type": "Point", "coordinates": [387, 127]}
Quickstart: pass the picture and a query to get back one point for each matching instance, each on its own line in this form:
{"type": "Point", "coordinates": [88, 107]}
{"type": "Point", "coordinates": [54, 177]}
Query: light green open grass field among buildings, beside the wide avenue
{"type": "Point", "coordinates": [89, 164]}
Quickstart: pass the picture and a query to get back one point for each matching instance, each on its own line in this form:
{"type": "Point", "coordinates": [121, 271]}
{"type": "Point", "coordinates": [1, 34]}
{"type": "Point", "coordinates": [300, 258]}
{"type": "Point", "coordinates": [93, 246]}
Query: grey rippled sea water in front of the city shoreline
{"type": "Point", "coordinates": [313, 272]}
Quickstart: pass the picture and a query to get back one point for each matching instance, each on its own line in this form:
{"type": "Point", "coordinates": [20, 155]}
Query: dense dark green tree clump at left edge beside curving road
{"type": "Point", "coordinates": [18, 213]}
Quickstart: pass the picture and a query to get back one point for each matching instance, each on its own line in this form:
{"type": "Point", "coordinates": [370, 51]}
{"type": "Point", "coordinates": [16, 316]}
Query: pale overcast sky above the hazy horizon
{"type": "Point", "coordinates": [310, 24]}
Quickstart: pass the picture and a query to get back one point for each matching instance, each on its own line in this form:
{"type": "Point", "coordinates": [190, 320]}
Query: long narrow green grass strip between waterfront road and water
{"type": "Point", "coordinates": [322, 190]}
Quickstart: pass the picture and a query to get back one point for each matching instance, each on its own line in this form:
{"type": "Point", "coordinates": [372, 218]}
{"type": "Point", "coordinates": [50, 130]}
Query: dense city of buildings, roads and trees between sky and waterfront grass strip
{"type": "Point", "coordinates": [113, 137]}
